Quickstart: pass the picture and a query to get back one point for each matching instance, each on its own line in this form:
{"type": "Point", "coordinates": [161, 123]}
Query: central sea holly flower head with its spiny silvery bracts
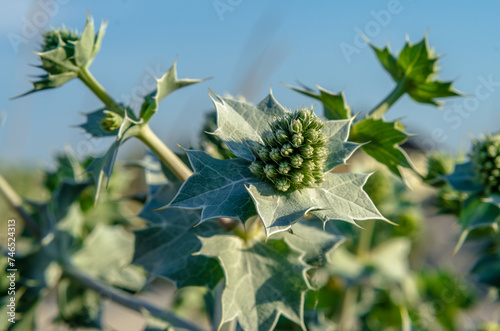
{"type": "Point", "coordinates": [281, 171]}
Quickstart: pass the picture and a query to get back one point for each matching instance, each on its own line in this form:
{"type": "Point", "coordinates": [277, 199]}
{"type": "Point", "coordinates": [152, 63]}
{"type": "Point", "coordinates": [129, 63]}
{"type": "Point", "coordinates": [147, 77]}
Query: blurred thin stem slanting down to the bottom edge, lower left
{"type": "Point", "coordinates": [126, 299]}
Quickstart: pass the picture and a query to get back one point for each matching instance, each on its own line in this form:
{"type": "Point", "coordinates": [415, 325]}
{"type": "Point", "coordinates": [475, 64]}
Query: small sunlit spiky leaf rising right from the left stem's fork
{"type": "Point", "coordinates": [164, 86]}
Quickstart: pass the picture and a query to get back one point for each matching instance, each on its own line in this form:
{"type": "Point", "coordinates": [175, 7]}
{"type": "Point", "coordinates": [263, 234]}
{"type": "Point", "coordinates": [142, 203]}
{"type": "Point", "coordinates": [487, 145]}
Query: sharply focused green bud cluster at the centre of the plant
{"type": "Point", "coordinates": [293, 155]}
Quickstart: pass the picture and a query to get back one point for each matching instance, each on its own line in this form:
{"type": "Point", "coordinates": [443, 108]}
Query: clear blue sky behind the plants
{"type": "Point", "coordinates": [246, 46]}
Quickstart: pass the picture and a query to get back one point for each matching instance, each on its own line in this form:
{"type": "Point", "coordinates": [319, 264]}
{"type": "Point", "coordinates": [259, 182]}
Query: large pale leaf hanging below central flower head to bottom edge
{"type": "Point", "coordinates": [263, 281]}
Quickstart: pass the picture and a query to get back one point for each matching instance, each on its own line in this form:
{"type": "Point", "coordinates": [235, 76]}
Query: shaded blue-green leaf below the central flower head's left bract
{"type": "Point", "coordinates": [166, 246]}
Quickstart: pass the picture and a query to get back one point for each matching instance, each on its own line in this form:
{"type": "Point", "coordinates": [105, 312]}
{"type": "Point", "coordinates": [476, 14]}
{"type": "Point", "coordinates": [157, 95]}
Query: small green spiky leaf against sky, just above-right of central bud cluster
{"type": "Point", "coordinates": [334, 105]}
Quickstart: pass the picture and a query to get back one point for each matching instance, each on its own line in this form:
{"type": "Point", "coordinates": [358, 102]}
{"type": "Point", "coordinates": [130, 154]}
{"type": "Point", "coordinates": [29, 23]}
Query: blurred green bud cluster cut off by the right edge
{"type": "Point", "coordinates": [485, 156]}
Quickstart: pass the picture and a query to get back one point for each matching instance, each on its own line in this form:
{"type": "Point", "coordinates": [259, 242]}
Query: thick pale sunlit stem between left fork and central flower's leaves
{"type": "Point", "coordinates": [148, 137]}
